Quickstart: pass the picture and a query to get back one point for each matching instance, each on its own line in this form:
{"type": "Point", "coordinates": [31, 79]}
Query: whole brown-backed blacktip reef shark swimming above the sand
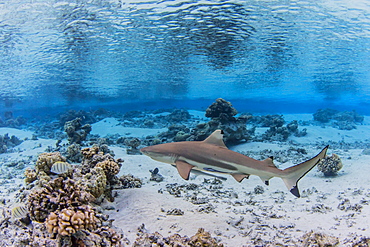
{"type": "Point", "coordinates": [212, 155]}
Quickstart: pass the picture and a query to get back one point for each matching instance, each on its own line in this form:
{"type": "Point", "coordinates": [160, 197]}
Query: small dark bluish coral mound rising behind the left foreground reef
{"type": "Point", "coordinates": [76, 132]}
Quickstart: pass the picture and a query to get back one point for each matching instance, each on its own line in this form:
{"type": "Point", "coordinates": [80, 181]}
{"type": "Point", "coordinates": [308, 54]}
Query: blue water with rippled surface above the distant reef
{"type": "Point", "coordinates": [263, 56]}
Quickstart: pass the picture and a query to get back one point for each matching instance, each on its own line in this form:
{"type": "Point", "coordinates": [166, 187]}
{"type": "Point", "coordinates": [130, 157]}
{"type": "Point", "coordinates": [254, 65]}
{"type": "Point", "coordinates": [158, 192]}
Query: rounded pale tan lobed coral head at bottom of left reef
{"type": "Point", "coordinates": [70, 220]}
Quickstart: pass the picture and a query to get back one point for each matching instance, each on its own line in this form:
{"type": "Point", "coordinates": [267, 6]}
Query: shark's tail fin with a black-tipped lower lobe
{"type": "Point", "coordinates": [295, 173]}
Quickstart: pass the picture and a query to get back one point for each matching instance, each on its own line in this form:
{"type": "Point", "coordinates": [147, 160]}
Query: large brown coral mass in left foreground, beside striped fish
{"type": "Point", "coordinates": [64, 206]}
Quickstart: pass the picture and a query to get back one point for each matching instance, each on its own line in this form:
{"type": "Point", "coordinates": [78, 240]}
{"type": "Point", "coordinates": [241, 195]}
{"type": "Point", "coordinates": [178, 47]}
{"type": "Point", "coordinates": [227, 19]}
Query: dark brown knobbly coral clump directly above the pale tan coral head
{"type": "Point", "coordinates": [57, 194]}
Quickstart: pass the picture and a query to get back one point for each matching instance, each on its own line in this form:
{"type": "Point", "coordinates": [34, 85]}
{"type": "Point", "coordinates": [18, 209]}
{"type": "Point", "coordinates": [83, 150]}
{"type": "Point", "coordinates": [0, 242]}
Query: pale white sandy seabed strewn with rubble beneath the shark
{"type": "Point", "coordinates": [238, 214]}
